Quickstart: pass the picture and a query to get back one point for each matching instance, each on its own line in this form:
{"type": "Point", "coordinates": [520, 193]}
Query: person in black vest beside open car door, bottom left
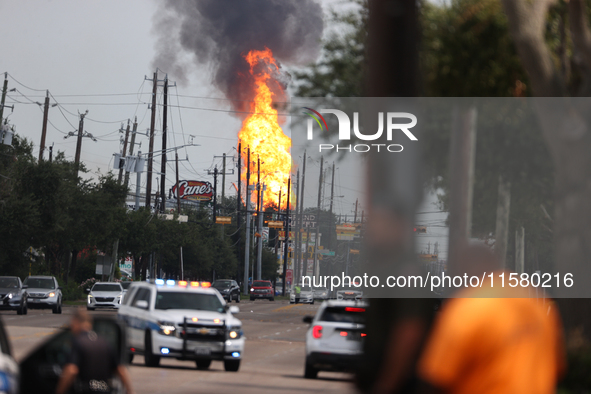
{"type": "Point", "coordinates": [92, 363]}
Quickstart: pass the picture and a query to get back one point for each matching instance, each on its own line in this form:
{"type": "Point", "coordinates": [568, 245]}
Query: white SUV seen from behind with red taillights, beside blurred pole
{"type": "Point", "coordinates": [334, 341]}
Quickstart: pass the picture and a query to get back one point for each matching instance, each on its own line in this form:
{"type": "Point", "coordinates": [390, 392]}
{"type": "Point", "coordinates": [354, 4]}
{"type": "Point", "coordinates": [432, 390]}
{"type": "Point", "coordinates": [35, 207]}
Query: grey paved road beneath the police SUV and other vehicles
{"type": "Point", "coordinates": [273, 359]}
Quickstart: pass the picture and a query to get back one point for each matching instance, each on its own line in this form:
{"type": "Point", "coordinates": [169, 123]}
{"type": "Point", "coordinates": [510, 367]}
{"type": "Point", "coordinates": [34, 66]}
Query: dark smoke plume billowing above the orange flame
{"type": "Point", "coordinates": [217, 33]}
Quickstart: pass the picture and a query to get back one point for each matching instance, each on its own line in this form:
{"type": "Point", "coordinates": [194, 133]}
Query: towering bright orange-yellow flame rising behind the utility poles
{"type": "Point", "coordinates": [262, 133]}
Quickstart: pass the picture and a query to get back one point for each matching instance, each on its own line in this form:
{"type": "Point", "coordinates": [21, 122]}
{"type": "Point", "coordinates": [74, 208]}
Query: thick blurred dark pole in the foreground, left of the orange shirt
{"type": "Point", "coordinates": [396, 326]}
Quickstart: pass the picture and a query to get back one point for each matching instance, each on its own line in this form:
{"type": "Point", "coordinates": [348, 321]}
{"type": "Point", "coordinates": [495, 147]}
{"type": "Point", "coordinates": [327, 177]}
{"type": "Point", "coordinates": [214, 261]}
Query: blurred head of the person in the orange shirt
{"type": "Point", "coordinates": [475, 260]}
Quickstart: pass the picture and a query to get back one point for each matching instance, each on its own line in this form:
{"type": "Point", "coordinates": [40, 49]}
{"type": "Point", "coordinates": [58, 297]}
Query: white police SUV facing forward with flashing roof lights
{"type": "Point", "coordinates": [181, 320]}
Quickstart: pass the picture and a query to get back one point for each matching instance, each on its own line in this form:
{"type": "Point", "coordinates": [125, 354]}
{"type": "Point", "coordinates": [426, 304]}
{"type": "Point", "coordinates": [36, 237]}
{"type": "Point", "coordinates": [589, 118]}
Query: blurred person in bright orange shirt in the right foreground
{"type": "Point", "coordinates": [492, 340]}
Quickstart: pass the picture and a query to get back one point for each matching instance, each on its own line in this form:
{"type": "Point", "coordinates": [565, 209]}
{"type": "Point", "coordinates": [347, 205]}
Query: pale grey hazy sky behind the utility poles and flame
{"type": "Point", "coordinates": [94, 55]}
